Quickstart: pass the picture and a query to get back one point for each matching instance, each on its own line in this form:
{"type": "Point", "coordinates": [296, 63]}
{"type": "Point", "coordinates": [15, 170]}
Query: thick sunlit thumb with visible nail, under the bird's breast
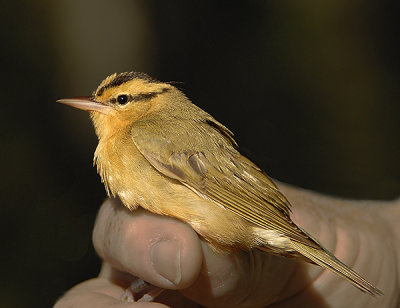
{"type": "Point", "coordinates": [160, 250]}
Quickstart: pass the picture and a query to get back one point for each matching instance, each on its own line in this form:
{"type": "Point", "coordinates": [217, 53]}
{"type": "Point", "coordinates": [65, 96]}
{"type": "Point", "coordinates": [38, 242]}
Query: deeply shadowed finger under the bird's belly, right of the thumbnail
{"type": "Point", "coordinates": [245, 279]}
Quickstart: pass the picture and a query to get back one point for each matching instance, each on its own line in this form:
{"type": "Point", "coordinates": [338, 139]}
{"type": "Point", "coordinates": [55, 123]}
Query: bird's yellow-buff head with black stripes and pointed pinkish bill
{"type": "Point", "coordinates": [122, 99]}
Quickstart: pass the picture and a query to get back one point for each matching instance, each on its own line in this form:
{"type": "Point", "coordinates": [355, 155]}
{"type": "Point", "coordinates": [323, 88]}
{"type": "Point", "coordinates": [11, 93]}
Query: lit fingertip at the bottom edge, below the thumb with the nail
{"type": "Point", "coordinates": [100, 293]}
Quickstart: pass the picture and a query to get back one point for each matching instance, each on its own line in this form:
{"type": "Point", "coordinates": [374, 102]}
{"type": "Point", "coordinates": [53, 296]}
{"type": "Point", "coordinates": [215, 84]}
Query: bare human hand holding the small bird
{"type": "Point", "coordinates": [168, 253]}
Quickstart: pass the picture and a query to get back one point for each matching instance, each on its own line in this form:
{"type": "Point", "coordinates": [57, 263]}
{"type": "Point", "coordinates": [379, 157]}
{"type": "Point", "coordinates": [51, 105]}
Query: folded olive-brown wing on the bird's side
{"type": "Point", "coordinates": [217, 172]}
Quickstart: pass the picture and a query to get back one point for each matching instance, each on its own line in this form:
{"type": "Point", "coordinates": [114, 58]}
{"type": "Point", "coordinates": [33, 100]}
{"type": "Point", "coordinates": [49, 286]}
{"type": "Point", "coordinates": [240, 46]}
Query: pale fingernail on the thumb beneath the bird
{"type": "Point", "coordinates": [166, 260]}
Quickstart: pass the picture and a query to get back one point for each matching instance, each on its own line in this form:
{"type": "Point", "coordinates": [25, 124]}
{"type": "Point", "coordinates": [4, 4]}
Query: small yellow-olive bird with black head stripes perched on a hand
{"type": "Point", "coordinates": [159, 151]}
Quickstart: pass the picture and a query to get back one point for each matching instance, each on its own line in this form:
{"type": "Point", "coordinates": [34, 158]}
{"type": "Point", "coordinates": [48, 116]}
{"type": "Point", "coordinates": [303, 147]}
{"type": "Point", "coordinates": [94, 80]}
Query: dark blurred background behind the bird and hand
{"type": "Point", "coordinates": [310, 88]}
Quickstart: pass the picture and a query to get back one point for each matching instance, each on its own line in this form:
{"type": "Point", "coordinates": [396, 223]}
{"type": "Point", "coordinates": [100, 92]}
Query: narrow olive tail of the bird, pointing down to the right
{"type": "Point", "coordinates": [325, 259]}
